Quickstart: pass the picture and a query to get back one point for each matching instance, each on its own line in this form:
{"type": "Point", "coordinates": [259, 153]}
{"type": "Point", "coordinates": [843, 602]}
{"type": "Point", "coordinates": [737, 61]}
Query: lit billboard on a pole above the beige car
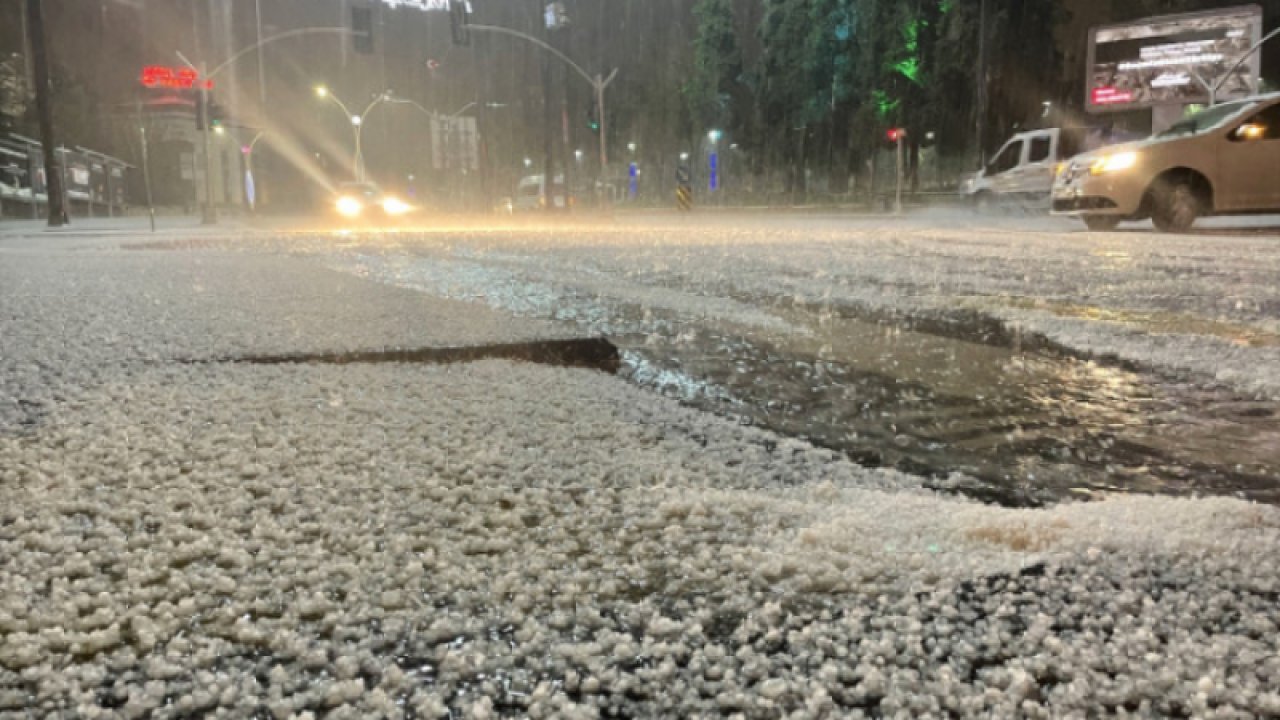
{"type": "Point", "coordinates": [1156, 62]}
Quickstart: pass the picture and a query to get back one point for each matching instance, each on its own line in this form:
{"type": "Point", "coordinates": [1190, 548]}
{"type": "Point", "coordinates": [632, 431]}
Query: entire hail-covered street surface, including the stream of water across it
{"type": "Point", "coordinates": [191, 530]}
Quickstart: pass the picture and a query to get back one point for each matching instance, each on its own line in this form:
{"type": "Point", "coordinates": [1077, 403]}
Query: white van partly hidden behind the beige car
{"type": "Point", "coordinates": [1023, 171]}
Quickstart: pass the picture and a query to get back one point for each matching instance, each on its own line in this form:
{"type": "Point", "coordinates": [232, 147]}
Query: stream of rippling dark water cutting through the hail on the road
{"type": "Point", "coordinates": [1028, 423]}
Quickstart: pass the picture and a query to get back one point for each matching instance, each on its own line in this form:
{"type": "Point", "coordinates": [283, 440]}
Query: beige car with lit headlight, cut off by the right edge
{"type": "Point", "coordinates": [1219, 162]}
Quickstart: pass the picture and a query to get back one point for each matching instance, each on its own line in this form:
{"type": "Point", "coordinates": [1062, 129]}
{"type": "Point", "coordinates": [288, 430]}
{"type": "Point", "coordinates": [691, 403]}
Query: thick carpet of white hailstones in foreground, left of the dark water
{"type": "Point", "coordinates": [505, 539]}
